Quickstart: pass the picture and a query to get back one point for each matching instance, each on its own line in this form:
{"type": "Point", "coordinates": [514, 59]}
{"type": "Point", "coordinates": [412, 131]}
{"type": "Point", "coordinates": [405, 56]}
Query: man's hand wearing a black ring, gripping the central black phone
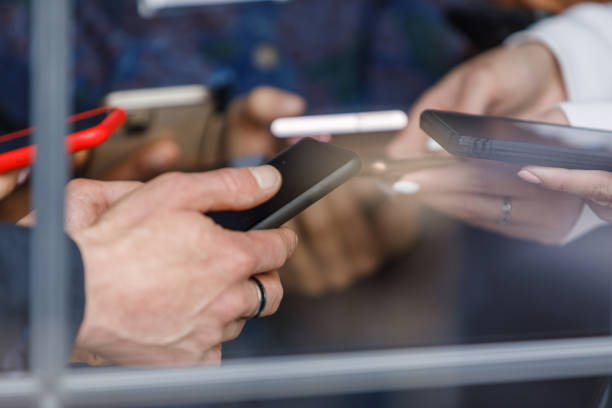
{"type": "Point", "coordinates": [164, 283]}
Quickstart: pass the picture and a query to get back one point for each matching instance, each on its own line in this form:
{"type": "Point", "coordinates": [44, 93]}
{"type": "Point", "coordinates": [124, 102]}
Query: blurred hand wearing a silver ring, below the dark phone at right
{"type": "Point", "coordinates": [479, 193]}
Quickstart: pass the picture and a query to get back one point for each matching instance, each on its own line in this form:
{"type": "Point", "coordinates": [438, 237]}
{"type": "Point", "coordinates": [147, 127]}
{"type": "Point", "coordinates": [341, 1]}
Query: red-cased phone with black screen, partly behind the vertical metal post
{"type": "Point", "coordinates": [89, 129]}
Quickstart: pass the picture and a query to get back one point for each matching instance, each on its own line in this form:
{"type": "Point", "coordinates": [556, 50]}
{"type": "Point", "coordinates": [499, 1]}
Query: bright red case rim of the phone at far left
{"type": "Point", "coordinates": [81, 140]}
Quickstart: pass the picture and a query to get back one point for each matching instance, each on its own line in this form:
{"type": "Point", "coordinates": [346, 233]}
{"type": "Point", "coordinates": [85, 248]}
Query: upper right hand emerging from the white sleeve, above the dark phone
{"type": "Point", "coordinates": [510, 81]}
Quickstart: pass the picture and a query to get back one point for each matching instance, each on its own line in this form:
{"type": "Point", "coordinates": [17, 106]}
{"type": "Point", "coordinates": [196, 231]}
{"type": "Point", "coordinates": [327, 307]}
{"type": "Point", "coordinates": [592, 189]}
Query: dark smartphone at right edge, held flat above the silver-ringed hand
{"type": "Point", "coordinates": [519, 141]}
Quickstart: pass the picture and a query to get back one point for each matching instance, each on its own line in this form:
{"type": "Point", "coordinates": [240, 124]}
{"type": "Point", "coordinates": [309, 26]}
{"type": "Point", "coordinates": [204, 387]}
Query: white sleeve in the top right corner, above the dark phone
{"type": "Point", "coordinates": [581, 40]}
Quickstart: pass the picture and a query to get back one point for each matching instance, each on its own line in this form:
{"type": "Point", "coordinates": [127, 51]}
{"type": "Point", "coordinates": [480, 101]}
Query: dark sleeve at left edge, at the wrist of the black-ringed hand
{"type": "Point", "coordinates": [14, 295]}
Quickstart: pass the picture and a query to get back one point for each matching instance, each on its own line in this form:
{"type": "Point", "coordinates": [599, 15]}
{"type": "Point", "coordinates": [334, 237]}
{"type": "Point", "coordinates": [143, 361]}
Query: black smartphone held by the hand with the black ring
{"type": "Point", "coordinates": [310, 170]}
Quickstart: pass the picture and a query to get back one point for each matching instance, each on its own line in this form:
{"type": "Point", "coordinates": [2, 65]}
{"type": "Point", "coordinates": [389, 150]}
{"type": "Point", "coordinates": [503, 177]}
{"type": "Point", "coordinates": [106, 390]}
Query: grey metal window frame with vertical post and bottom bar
{"type": "Point", "coordinates": [50, 386]}
